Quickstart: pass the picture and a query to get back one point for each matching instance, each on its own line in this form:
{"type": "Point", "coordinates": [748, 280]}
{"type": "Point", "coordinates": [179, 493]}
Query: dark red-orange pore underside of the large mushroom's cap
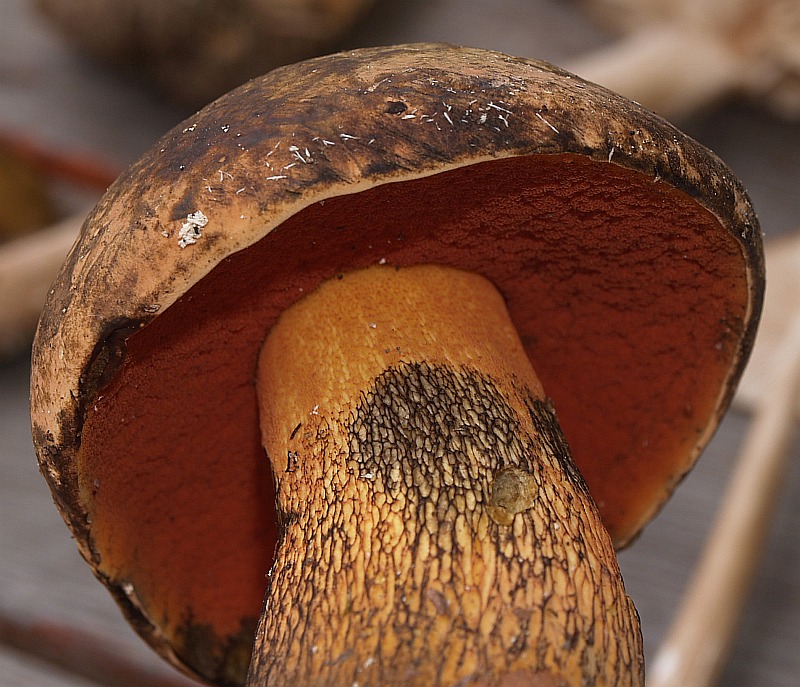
{"type": "Point", "coordinates": [628, 297]}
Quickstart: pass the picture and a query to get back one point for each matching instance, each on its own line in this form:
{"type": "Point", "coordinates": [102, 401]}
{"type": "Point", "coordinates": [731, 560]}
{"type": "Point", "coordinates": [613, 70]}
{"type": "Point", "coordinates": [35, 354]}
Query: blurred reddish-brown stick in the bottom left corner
{"type": "Point", "coordinates": [81, 654]}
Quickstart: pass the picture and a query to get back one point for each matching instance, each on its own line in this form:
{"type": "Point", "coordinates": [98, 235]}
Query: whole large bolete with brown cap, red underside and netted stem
{"type": "Point", "coordinates": [388, 270]}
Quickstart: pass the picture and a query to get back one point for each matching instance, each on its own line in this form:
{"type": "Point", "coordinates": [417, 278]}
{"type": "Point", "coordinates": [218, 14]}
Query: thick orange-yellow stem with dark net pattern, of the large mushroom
{"type": "Point", "coordinates": [434, 528]}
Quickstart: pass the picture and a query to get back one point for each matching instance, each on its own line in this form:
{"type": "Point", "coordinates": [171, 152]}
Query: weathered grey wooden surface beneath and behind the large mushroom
{"type": "Point", "coordinates": [48, 93]}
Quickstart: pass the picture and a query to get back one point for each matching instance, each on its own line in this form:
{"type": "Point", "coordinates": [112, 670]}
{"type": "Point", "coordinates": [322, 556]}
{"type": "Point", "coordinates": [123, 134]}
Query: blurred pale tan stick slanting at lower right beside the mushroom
{"type": "Point", "coordinates": [700, 638]}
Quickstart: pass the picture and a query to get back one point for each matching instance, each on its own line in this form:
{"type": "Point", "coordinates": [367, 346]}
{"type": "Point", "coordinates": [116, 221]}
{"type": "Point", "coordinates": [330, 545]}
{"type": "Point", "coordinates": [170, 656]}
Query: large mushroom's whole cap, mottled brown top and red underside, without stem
{"type": "Point", "coordinates": [628, 254]}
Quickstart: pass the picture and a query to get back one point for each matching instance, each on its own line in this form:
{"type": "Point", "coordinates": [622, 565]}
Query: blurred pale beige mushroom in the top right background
{"type": "Point", "coordinates": [677, 57]}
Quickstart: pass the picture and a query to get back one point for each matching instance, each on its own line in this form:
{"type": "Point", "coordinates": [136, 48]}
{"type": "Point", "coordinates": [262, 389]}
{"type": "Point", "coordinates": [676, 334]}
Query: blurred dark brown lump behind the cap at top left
{"type": "Point", "coordinates": [195, 51]}
